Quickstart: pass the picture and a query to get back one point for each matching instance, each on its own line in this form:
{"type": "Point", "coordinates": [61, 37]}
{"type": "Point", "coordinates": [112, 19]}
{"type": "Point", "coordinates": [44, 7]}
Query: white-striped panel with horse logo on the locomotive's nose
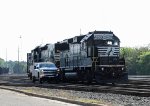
{"type": "Point", "coordinates": [105, 51]}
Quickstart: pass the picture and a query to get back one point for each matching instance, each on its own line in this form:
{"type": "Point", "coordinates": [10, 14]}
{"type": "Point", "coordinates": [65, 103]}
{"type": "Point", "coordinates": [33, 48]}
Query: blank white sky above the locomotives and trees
{"type": "Point", "coordinates": [25, 24]}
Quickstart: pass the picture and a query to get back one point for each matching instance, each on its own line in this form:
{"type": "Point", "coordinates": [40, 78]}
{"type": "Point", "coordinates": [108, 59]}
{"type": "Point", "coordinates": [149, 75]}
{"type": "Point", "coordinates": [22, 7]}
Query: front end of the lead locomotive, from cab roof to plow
{"type": "Point", "coordinates": [103, 48]}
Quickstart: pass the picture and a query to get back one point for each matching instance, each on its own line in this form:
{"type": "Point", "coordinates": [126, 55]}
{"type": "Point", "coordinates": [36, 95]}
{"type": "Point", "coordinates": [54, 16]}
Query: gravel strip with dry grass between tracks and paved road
{"type": "Point", "coordinates": [106, 99]}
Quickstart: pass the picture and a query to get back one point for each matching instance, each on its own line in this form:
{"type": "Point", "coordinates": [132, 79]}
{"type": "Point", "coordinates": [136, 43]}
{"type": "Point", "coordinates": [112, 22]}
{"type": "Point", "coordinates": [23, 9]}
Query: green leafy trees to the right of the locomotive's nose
{"type": "Point", "coordinates": [137, 60]}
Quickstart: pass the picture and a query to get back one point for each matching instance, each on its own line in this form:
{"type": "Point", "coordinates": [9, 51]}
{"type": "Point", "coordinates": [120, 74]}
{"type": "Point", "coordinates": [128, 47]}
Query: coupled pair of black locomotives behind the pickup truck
{"type": "Point", "coordinates": [94, 56]}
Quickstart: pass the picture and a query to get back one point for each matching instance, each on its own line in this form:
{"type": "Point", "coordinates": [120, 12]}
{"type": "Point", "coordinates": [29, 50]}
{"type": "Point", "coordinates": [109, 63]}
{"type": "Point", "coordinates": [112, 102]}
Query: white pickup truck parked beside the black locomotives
{"type": "Point", "coordinates": [45, 71]}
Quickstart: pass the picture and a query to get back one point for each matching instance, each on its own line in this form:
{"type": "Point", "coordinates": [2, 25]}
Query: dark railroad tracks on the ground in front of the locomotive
{"type": "Point", "coordinates": [133, 87]}
